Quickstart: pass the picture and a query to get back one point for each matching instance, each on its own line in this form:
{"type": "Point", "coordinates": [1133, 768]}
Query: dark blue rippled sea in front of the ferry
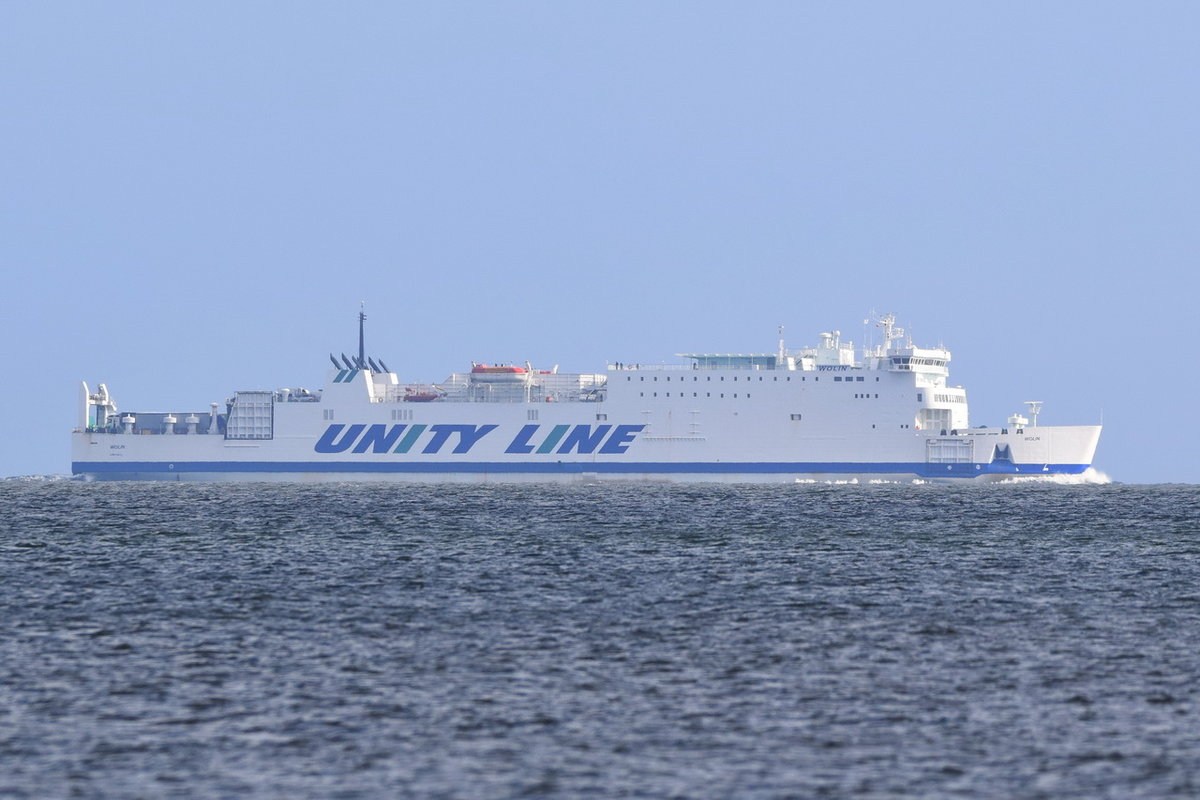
{"type": "Point", "coordinates": [631, 641]}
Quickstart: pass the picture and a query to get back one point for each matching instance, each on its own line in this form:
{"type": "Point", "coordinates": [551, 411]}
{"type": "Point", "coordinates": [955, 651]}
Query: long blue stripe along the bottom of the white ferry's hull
{"type": "Point", "coordinates": [577, 468]}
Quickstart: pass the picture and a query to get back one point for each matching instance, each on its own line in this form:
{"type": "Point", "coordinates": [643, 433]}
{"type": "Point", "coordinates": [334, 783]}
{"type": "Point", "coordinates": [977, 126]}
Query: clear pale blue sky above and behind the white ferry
{"type": "Point", "coordinates": [195, 199]}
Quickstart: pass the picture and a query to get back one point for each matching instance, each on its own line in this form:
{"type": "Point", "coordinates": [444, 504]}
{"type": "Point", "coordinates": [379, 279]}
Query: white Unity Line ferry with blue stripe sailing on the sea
{"type": "Point", "coordinates": [885, 412]}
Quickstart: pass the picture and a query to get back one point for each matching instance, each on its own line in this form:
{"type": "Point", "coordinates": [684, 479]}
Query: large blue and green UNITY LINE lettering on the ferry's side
{"type": "Point", "coordinates": [429, 440]}
